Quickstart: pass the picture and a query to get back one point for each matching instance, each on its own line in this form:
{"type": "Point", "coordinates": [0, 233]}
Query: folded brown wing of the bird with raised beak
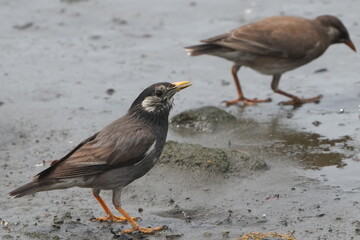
{"type": "Point", "coordinates": [107, 150]}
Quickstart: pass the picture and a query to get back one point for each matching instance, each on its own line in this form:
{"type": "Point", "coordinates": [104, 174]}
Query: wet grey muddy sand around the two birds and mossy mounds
{"type": "Point", "coordinates": [61, 58]}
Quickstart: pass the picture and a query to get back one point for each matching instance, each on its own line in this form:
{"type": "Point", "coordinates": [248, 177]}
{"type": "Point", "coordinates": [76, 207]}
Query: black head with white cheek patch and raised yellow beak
{"type": "Point", "coordinates": [156, 101]}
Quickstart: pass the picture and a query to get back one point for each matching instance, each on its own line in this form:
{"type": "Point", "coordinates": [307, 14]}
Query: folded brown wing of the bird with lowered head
{"type": "Point", "coordinates": [284, 37]}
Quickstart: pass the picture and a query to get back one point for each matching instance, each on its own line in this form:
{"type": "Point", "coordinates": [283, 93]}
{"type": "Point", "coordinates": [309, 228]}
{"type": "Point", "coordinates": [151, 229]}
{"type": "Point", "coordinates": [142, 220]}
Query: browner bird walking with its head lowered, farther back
{"type": "Point", "coordinates": [273, 46]}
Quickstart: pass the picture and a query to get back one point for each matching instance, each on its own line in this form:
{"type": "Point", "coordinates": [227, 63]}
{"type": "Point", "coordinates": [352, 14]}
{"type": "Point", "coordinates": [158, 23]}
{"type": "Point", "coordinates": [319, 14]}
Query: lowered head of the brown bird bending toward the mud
{"type": "Point", "coordinates": [336, 30]}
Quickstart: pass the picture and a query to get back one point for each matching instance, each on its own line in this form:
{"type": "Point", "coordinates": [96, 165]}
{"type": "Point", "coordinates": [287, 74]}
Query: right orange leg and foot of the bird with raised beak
{"type": "Point", "coordinates": [134, 224]}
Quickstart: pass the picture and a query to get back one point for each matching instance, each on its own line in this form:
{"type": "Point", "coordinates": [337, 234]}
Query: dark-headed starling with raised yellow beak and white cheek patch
{"type": "Point", "coordinates": [123, 151]}
